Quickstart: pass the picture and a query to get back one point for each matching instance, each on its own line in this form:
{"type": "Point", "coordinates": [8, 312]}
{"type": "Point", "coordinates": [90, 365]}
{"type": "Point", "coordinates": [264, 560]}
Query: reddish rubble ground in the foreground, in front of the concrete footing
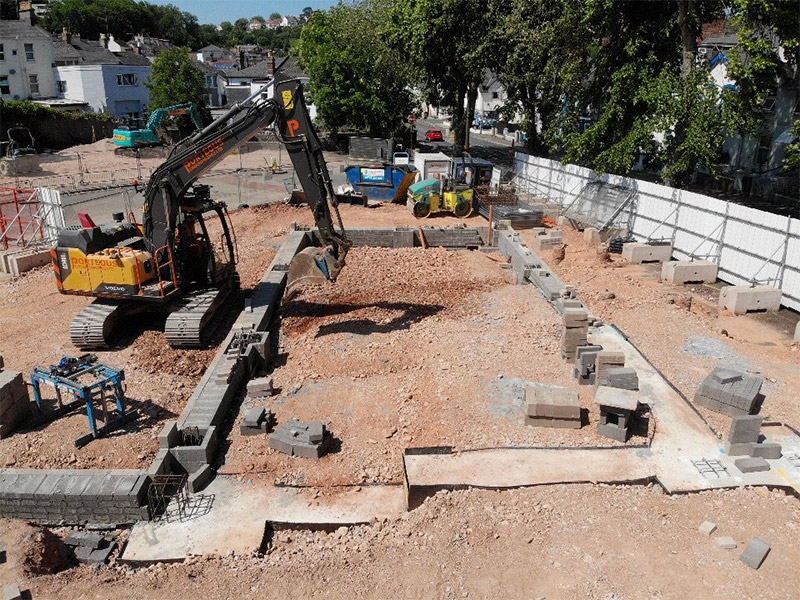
{"type": "Point", "coordinates": [565, 542]}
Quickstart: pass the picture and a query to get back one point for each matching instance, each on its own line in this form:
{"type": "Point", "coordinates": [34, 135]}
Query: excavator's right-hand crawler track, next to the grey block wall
{"type": "Point", "coordinates": [189, 324]}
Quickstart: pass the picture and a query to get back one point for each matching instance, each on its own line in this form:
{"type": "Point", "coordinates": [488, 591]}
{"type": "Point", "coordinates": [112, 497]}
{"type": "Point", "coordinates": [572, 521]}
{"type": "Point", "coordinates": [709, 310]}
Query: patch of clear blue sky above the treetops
{"type": "Point", "coordinates": [216, 11]}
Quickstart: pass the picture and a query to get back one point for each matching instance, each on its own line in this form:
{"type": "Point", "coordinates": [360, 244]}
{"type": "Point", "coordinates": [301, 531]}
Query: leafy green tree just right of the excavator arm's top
{"type": "Point", "coordinates": [357, 81]}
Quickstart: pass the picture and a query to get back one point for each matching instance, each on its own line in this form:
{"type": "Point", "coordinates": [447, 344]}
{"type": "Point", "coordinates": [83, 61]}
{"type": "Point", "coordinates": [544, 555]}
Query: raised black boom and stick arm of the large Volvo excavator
{"type": "Point", "coordinates": [197, 154]}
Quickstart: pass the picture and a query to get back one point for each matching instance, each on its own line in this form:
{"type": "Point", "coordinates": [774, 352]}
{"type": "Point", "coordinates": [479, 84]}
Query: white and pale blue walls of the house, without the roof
{"type": "Point", "coordinates": [97, 85]}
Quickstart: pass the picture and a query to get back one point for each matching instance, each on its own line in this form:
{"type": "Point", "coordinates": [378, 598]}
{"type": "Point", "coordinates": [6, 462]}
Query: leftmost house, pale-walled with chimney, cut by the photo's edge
{"type": "Point", "coordinates": [26, 61]}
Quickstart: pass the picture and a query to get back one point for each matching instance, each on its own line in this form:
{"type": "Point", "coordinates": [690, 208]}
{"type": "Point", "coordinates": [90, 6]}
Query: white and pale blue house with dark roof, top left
{"type": "Point", "coordinates": [88, 71]}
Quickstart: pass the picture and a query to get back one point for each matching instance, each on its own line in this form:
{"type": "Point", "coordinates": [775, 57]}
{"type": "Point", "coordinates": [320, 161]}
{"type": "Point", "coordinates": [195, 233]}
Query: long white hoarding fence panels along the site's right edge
{"type": "Point", "coordinates": [750, 246]}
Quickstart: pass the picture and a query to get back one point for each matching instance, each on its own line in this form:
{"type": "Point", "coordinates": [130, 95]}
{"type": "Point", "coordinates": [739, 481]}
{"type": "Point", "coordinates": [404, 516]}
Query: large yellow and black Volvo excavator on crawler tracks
{"type": "Point", "coordinates": [168, 262]}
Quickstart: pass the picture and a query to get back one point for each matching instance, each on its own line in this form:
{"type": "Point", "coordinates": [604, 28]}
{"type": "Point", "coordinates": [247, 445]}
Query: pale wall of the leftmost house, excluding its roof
{"type": "Point", "coordinates": [42, 66]}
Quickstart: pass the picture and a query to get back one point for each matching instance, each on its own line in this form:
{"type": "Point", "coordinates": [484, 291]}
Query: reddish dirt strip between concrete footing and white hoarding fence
{"type": "Point", "coordinates": [681, 331]}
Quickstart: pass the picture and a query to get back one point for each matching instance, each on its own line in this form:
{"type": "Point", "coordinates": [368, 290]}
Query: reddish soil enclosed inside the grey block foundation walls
{"type": "Point", "coordinates": [410, 348]}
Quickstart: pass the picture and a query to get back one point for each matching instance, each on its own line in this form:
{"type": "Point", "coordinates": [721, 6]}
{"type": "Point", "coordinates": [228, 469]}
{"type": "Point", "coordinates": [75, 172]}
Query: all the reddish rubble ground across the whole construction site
{"type": "Point", "coordinates": [428, 348]}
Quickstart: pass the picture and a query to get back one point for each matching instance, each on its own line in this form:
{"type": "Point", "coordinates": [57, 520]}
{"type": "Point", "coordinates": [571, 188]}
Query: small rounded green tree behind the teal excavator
{"type": "Point", "coordinates": [175, 80]}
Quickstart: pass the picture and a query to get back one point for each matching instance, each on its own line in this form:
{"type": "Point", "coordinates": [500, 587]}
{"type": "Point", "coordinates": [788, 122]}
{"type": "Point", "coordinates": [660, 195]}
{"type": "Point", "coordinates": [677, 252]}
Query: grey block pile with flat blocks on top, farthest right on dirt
{"type": "Point", "coordinates": [730, 392]}
